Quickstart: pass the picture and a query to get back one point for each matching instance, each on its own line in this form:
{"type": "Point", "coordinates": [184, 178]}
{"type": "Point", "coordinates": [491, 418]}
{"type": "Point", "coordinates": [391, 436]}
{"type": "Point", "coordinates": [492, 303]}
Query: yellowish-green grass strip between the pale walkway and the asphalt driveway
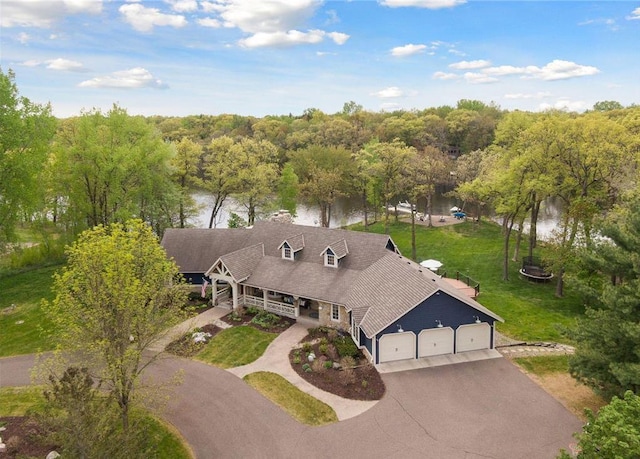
{"type": "Point", "coordinates": [302, 406]}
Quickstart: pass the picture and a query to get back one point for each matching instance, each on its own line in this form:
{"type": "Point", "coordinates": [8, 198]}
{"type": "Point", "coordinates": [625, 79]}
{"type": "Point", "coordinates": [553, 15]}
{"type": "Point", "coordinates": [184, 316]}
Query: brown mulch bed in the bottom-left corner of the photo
{"type": "Point", "coordinates": [23, 438]}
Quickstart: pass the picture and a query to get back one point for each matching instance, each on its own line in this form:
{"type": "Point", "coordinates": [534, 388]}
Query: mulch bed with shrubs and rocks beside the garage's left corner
{"type": "Point", "coordinates": [354, 377]}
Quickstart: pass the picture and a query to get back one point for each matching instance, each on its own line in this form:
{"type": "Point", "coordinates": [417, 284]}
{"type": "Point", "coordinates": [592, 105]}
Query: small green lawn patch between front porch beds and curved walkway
{"type": "Point", "coordinates": [236, 346]}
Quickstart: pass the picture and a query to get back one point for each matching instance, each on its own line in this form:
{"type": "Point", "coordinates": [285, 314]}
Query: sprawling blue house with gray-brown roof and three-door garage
{"type": "Point", "coordinates": [356, 282]}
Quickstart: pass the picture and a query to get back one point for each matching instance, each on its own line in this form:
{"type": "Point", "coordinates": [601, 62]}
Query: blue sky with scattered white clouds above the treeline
{"type": "Point", "coordinates": [275, 57]}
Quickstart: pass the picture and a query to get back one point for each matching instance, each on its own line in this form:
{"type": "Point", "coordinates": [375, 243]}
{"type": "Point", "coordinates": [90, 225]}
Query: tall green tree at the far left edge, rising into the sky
{"type": "Point", "coordinates": [25, 132]}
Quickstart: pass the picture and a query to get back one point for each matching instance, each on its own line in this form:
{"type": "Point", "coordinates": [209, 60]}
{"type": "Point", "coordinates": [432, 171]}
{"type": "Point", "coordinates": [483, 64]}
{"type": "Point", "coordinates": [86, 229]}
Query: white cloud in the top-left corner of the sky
{"type": "Point", "coordinates": [42, 14]}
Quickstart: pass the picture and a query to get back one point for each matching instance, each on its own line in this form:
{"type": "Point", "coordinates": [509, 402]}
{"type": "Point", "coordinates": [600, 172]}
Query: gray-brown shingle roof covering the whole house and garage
{"type": "Point", "coordinates": [376, 284]}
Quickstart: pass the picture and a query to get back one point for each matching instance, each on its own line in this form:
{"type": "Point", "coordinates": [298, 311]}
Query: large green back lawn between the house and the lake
{"type": "Point", "coordinates": [531, 311]}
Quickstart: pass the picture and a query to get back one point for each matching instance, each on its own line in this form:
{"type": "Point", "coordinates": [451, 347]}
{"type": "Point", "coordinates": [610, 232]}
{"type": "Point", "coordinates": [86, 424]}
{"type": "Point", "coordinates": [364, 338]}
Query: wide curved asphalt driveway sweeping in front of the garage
{"type": "Point", "coordinates": [470, 410]}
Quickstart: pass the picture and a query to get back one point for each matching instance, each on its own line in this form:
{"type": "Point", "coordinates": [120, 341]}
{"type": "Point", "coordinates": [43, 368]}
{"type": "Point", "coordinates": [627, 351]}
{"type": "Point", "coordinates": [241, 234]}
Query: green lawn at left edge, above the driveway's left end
{"type": "Point", "coordinates": [25, 329]}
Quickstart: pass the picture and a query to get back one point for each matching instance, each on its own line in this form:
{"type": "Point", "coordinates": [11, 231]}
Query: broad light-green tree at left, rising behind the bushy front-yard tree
{"type": "Point", "coordinates": [113, 167]}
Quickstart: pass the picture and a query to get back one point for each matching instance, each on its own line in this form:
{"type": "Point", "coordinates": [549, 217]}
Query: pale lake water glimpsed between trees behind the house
{"type": "Point", "coordinates": [347, 211]}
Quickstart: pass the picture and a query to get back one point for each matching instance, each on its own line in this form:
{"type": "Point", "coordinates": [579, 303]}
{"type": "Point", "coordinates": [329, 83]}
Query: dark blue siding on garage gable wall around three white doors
{"type": "Point", "coordinates": [440, 306]}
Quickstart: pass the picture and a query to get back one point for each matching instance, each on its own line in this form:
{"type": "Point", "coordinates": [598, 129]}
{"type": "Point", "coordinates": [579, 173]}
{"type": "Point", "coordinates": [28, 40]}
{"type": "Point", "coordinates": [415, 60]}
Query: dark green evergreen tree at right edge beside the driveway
{"type": "Point", "coordinates": [607, 356]}
